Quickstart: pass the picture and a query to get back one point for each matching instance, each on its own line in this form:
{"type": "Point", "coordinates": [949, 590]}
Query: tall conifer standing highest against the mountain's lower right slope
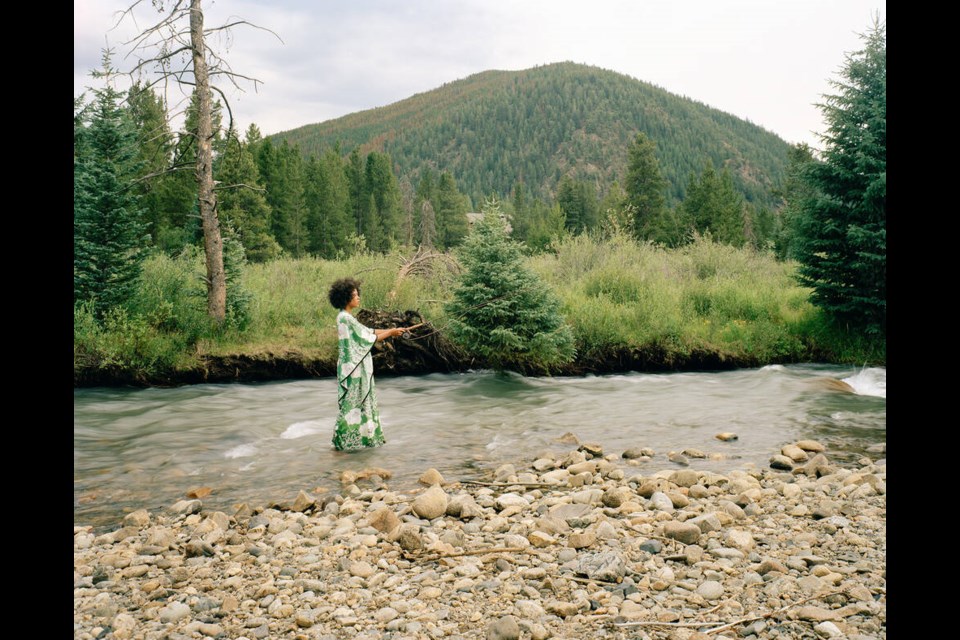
{"type": "Point", "coordinates": [645, 188]}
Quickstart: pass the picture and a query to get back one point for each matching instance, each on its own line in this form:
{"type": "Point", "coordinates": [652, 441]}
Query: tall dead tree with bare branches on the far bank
{"type": "Point", "coordinates": [177, 53]}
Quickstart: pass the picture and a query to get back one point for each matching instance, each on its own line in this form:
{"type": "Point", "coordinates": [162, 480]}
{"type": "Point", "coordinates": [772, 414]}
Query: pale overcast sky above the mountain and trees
{"type": "Point", "coordinates": [766, 61]}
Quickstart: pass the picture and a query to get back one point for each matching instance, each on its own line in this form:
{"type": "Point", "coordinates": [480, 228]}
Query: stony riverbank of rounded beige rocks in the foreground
{"type": "Point", "coordinates": [578, 545]}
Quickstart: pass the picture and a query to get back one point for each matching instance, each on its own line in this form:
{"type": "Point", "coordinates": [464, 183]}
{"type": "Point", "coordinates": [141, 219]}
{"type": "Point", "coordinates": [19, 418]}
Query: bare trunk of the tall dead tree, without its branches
{"type": "Point", "coordinates": [212, 241]}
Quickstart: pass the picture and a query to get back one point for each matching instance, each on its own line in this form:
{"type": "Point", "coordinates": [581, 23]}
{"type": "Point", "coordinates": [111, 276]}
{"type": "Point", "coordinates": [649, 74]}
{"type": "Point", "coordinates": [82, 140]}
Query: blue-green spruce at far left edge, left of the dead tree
{"type": "Point", "coordinates": [109, 234]}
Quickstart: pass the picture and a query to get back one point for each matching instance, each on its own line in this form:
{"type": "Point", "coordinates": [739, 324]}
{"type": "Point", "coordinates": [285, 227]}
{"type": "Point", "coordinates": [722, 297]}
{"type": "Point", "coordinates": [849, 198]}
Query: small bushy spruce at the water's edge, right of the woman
{"type": "Point", "coordinates": [500, 310]}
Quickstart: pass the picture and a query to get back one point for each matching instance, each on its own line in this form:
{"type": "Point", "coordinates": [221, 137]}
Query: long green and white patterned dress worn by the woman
{"type": "Point", "coordinates": [358, 421]}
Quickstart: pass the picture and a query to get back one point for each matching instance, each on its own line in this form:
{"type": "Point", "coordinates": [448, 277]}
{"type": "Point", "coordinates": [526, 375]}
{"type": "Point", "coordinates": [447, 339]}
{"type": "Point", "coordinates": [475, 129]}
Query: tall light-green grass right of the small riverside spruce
{"type": "Point", "coordinates": [740, 303]}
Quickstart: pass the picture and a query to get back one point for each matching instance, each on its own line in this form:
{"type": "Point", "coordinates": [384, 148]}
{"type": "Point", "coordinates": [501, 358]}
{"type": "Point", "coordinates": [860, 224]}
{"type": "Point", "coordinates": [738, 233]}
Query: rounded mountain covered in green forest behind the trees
{"type": "Point", "coordinates": [496, 128]}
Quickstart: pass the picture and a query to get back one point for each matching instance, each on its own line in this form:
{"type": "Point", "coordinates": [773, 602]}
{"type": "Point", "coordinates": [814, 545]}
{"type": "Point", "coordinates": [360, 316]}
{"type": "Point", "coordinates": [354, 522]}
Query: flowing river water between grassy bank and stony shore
{"type": "Point", "coordinates": [258, 443]}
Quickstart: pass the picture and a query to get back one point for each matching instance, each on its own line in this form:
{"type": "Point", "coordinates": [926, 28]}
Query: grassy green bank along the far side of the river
{"type": "Point", "coordinates": [618, 296]}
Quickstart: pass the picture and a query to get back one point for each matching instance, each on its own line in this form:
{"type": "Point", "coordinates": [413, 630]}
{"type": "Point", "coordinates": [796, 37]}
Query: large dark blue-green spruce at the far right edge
{"type": "Point", "coordinates": [842, 243]}
